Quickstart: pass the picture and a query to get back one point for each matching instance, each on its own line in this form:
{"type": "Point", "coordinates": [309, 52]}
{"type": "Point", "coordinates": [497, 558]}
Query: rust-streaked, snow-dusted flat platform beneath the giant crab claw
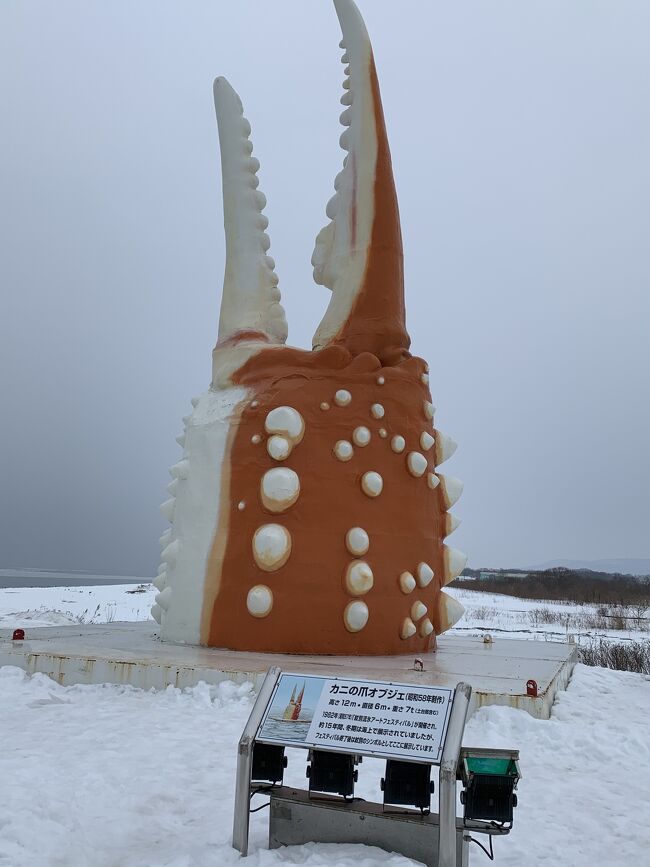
{"type": "Point", "coordinates": [132, 653]}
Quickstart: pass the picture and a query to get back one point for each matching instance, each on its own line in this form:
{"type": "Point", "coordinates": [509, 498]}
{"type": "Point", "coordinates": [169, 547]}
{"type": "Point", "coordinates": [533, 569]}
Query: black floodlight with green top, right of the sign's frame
{"type": "Point", "coordinates": [489, 778]}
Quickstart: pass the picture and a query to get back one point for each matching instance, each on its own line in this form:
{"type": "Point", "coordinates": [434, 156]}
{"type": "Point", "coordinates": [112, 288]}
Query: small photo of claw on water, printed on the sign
{"type": "Point", "coordinates": [292, 709]}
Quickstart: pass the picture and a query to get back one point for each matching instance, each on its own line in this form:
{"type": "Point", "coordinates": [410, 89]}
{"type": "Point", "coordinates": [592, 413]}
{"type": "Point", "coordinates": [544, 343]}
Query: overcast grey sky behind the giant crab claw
{"type": "Point", "coordinates": [520, 135]}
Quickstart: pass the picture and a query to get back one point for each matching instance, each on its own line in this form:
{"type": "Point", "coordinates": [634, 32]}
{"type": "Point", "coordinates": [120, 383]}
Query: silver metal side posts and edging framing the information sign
{"type": "Point", "coordinates": [448, 762]}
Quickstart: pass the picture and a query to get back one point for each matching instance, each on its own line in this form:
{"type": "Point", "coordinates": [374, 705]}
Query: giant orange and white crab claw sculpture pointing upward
{"type": "Point", "coordinates": [307, 512]}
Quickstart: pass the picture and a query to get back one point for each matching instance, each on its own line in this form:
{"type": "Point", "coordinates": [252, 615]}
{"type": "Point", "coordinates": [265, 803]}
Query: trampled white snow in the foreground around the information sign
{"type": "Point", "coordinates": [110, 776]}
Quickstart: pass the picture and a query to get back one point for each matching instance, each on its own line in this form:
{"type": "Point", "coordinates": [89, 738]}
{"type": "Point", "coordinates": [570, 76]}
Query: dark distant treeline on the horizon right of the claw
{"type": "Point", "coordinates": [571, 585]}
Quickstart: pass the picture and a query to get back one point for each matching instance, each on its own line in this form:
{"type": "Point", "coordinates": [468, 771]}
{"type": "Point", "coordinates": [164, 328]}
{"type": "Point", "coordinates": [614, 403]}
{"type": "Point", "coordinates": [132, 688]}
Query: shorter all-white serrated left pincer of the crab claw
{"type": "Point", "coordinates": [247, 303]}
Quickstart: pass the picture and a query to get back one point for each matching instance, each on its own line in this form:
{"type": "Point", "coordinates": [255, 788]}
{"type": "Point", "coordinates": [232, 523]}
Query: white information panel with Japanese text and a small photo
{"type": "Point", "coordinates": [372, 718]}
